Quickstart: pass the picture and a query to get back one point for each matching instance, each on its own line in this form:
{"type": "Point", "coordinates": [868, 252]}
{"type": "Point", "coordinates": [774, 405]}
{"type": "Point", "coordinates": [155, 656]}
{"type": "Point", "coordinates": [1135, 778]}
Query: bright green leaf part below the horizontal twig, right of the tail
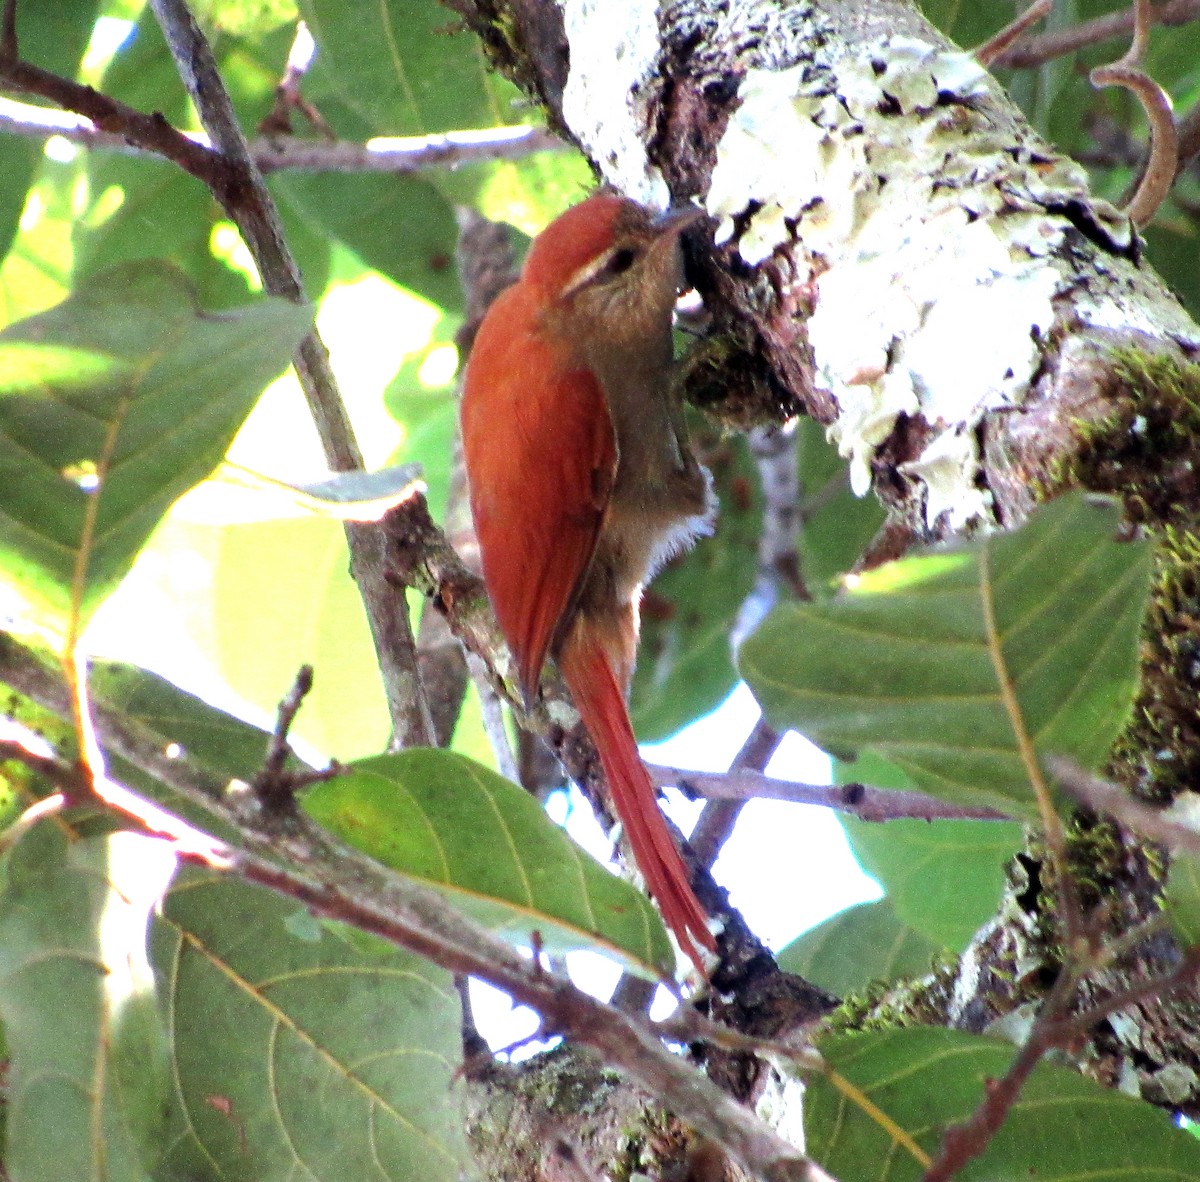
{"type": "Point", "coordinates": [945, 879]}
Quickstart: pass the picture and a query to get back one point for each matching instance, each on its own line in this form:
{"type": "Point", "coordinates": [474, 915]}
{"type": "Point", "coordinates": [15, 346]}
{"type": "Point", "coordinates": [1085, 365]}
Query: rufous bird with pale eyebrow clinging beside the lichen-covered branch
{"type": "Point", "coordinates": [583, 483]}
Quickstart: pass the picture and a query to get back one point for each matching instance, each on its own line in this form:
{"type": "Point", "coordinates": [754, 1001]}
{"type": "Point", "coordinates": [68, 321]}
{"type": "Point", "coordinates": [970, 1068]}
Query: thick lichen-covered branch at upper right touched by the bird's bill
{"type": "Point", "coordinates": [896, 250]}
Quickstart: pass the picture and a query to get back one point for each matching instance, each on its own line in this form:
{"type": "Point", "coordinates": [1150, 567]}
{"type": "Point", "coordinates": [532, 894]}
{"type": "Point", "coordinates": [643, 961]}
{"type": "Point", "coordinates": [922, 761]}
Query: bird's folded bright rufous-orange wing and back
{"type": "Point", "coordinates": [542, 455]}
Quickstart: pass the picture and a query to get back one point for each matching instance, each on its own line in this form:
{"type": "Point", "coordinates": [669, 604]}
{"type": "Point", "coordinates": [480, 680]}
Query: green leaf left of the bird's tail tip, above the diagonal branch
{"type": "Point", "coordinates": [455, 825]}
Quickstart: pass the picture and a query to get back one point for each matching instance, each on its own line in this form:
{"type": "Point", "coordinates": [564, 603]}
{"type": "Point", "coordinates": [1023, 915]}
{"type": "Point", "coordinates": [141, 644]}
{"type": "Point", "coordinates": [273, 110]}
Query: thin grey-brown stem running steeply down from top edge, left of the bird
{"type": "Point", "coordinates": [259, 220]}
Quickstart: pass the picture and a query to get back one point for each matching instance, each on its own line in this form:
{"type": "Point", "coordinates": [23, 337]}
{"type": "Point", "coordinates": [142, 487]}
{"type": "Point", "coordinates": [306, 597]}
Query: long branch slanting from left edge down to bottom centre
{"type": "Point", "coordinates": [340, 884]}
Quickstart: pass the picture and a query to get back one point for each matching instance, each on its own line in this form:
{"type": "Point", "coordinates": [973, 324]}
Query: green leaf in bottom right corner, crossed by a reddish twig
{"type": "Point", "coordinates": [1063, 1127]}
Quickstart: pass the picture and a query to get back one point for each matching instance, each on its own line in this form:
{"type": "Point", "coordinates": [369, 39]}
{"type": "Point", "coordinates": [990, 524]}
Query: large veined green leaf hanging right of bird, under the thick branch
{"type": "Point", "coordinates": [903, 665]}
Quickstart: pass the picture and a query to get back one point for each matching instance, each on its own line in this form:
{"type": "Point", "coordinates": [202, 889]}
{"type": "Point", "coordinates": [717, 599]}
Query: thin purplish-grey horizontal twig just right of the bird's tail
{"type": "Point", "coordinates": [860, 800]}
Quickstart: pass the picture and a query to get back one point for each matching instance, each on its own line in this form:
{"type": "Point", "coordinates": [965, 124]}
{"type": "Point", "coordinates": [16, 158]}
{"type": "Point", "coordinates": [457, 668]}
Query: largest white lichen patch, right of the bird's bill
{"type": "Point", "coordinates": [928, 239]}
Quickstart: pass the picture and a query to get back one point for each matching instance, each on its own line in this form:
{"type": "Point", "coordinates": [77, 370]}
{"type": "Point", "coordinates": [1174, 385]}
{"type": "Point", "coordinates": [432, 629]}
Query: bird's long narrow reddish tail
{"type": "Point", "coordinates": [601, 701]}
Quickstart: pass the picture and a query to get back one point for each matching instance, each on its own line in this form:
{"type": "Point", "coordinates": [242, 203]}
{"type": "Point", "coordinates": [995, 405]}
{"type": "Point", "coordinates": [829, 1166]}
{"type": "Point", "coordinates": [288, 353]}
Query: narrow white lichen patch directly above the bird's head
{"type": "Point", "coordinates": [614, 52]}
